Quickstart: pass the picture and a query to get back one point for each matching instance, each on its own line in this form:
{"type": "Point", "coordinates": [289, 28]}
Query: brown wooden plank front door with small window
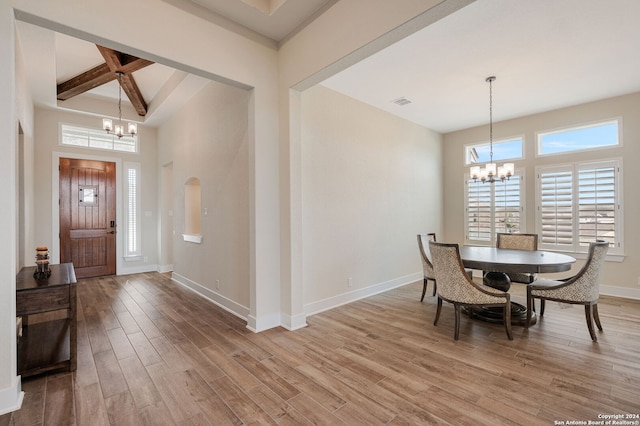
{"type": "Point", "coordinates": [88, 216]}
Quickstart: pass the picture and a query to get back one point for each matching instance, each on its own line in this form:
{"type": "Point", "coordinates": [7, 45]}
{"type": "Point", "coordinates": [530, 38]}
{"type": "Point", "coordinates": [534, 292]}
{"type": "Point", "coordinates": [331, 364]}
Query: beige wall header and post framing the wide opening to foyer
{"type": "Point", "coordinates": [229, 57]}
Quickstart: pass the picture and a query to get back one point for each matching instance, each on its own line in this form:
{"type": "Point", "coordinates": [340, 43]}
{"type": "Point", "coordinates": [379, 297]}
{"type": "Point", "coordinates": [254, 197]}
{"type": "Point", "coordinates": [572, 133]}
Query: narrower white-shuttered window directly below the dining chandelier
{"type": "Point", "coordinates": [492, 208]}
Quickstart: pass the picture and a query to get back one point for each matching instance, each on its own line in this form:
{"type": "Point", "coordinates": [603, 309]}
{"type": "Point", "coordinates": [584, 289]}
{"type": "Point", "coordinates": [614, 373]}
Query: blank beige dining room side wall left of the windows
{"type": "Point", "coordinates": [370, 183]}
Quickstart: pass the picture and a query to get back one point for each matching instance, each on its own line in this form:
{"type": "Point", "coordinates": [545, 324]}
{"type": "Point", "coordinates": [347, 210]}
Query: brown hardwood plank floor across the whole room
{"type": "Point", "coordinates": [151, 352]}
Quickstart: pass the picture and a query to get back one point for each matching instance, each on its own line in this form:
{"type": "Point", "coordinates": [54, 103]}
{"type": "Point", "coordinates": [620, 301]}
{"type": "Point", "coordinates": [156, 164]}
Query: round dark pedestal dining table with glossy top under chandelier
{"type": "Point", "coordinates": [497, 262]}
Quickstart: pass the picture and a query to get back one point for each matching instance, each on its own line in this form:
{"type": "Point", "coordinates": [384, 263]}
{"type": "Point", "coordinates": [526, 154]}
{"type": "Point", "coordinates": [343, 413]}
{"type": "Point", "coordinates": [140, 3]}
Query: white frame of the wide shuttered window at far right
{"type": "Point", "coordinates": [574, 168]}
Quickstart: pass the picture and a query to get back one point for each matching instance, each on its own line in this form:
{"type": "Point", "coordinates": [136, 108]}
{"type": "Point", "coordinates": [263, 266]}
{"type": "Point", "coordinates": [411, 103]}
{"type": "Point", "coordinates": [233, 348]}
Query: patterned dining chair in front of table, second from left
{"type": "Point", "coordinates": [455, 286]}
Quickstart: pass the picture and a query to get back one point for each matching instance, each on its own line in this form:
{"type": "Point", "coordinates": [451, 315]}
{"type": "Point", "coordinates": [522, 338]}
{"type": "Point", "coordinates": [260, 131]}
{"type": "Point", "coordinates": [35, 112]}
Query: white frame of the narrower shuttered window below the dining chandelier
{"type": "Point", "coordinates": [520, 175]}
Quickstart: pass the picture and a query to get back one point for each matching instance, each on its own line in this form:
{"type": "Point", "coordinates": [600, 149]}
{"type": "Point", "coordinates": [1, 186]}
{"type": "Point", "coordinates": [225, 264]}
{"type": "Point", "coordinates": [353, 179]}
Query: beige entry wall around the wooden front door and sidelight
{"type": "Point", "coordinates": [48, 150]}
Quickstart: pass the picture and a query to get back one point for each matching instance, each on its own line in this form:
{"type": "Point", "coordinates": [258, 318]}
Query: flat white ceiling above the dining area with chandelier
{"type": "Point", "coordinates": [545, 54]}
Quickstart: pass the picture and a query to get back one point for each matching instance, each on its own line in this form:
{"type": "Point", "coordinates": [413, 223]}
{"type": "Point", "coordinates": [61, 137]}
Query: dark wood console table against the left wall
{"type": "Point", "coordinates": [48, 345]}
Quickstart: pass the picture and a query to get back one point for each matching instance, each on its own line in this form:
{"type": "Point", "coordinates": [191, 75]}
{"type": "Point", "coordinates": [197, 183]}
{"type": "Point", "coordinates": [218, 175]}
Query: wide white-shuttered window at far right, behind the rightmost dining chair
{"type": "Point", "coordinates": [578, 204]}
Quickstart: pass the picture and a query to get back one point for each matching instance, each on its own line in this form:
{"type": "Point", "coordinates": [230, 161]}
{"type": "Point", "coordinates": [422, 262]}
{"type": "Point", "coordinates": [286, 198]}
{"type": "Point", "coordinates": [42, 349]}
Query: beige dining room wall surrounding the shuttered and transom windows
{"type": "Point", "coordinates": [620, 278]}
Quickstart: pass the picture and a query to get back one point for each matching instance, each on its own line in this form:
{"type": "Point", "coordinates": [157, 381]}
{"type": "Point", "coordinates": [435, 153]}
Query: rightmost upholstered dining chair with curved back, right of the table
{"type": "Point", "coordinates": [582, 289]}
